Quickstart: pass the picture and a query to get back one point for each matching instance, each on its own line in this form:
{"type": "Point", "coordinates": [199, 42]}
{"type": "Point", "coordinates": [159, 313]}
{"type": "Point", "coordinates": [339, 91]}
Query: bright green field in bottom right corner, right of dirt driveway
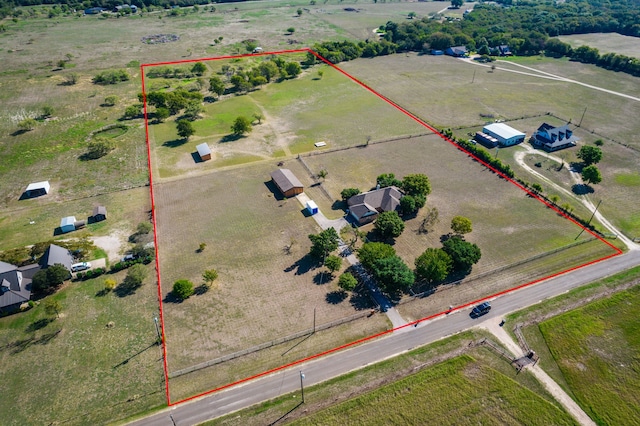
{"type": "Point", "coordinates": [596, 348]}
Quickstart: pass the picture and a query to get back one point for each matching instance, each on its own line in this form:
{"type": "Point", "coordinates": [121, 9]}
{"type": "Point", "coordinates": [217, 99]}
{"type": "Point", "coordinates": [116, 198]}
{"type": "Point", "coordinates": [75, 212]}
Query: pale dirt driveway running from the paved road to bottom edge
{"type": "Point", "coordinates": [554, 389]}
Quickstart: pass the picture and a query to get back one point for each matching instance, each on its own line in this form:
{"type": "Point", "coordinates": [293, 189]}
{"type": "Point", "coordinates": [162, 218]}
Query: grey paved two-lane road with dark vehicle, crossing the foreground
{"type": "Point", "coordinates": [392, 344]}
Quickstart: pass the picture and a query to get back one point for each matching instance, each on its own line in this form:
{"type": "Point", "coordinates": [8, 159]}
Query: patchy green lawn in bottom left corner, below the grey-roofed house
{"type": "Point", "coordinates": [75, 370]}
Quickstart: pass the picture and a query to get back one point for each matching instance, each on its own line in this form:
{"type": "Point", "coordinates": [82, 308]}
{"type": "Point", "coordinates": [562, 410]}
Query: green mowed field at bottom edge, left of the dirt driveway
{"type": "Point", "coordinates": [481, 395]}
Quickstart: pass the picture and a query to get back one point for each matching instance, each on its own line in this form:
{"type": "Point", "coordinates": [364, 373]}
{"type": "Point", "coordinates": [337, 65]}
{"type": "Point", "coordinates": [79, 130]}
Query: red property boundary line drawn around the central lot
{"type": "Point", "coordinates": [531, 194]}
